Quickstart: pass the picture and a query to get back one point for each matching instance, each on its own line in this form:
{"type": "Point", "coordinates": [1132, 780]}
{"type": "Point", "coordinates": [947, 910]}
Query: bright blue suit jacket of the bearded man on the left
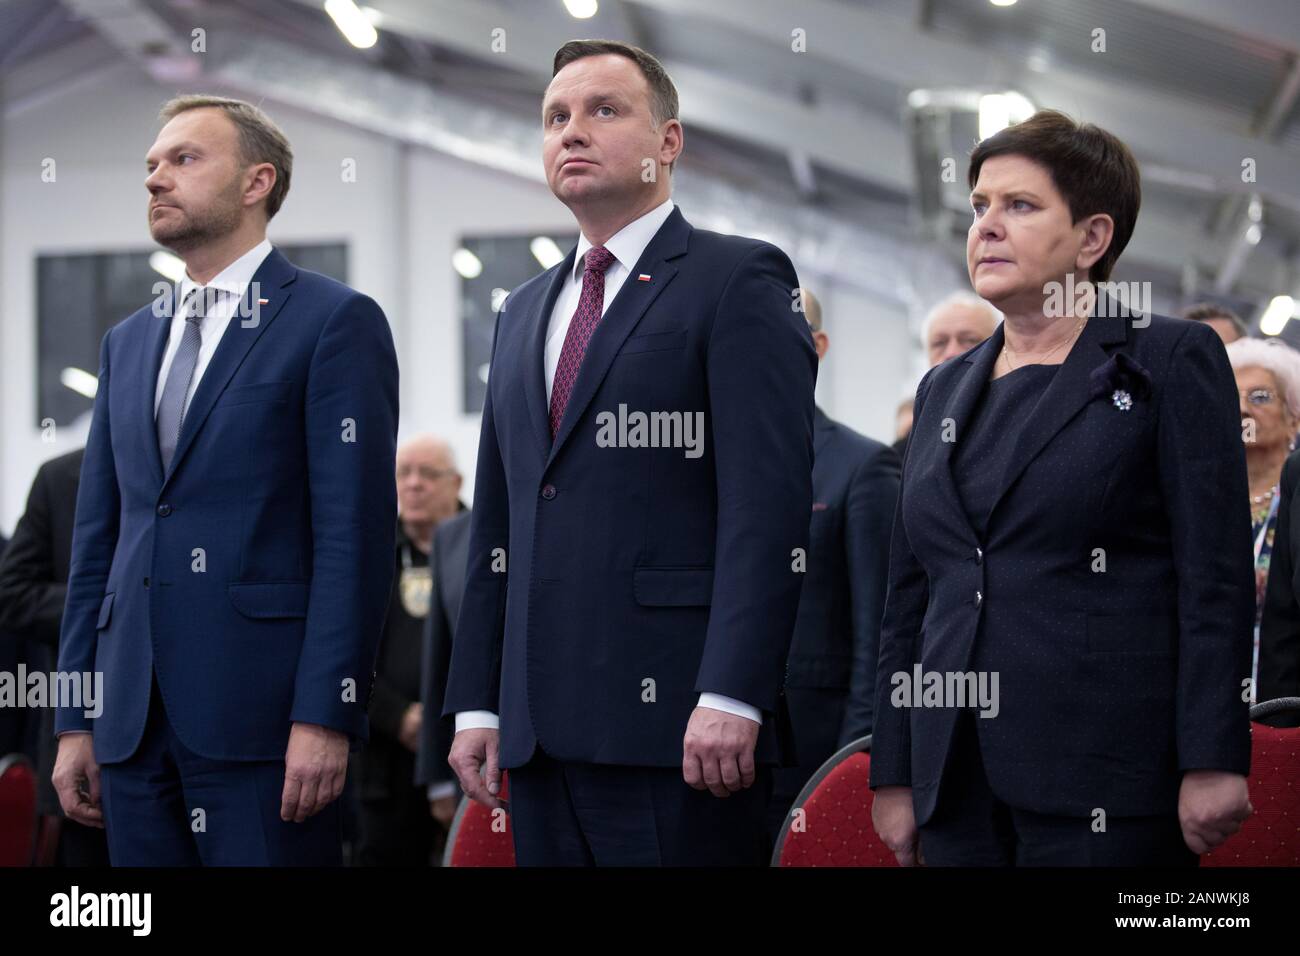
{"type": "Point", "coordinates": [284, 479]}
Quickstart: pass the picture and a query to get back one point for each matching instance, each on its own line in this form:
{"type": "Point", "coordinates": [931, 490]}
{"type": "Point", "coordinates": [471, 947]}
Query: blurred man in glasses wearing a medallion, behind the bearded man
{"type": "Point", "coordinates": [396, 825]}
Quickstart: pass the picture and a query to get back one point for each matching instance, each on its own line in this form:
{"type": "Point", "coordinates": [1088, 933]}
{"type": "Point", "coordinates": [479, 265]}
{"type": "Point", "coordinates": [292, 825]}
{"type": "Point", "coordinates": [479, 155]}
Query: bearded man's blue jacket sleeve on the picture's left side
{"type": "Point", "coordinates": [94, 542]}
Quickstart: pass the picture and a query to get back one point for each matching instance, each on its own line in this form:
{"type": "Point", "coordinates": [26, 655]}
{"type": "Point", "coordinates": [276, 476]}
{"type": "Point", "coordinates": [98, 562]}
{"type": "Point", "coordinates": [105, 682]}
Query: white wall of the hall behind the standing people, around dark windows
{"type": "Point", "coordinates": [401, 219]}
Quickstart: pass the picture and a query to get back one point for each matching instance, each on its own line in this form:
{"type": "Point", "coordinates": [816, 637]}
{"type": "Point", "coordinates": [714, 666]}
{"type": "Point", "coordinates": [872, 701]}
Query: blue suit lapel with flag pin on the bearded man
{"type": "Point", "coordinates": [271, 280]}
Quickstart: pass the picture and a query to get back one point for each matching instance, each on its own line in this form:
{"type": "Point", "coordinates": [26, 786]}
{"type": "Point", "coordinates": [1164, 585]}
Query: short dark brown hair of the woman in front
{"type": "Point", "coordinates": [1091, 168]}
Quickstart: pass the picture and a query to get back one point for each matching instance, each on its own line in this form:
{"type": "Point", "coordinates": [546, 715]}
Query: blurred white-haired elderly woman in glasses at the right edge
{"type": "Point", "coordinates": [1268, 383]}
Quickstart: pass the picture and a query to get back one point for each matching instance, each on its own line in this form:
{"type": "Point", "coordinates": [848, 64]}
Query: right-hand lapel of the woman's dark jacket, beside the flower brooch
{"type": "Point", "coordinates": [1067, 396]}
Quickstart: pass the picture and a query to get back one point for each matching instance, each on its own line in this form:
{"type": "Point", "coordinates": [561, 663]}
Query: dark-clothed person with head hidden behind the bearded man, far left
{"type": "Point", "coordinates": [33, 590]}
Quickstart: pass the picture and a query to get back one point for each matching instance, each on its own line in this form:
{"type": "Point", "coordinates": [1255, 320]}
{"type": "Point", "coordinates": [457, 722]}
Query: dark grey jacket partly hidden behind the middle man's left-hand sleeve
{"type": "Point", "coordinates": [450, 551]}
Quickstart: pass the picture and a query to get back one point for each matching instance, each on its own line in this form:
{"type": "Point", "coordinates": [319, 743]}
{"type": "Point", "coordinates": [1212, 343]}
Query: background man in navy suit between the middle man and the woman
{"type": "Point", "coordinates": [831, 676]}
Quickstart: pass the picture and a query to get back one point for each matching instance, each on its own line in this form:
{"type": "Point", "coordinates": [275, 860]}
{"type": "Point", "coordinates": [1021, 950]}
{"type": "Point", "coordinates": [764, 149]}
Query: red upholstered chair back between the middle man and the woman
{"type": "Point", "coordinates": [835, 825]}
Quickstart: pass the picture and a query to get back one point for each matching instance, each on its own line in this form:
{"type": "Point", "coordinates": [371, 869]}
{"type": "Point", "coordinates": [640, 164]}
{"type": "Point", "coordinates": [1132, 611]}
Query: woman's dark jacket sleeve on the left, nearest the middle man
{"type": "Point", "coordinates": [900, 635]}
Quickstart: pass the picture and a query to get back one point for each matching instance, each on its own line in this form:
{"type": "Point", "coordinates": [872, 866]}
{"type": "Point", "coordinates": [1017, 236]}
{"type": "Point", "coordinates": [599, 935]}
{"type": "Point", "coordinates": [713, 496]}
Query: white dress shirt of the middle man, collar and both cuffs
{"type": "Point", "coordinates": [627, 245]}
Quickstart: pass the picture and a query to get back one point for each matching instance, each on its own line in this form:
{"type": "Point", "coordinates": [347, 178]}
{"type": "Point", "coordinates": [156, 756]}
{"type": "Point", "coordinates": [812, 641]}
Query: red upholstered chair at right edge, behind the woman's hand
{"type": "Point", "coordinates": [1272, 836]}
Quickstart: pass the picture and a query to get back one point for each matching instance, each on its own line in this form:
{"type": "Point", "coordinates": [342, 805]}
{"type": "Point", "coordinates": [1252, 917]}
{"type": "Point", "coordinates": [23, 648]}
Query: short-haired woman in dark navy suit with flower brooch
{"type": "Point", "coordinates": [1067, 643]}
